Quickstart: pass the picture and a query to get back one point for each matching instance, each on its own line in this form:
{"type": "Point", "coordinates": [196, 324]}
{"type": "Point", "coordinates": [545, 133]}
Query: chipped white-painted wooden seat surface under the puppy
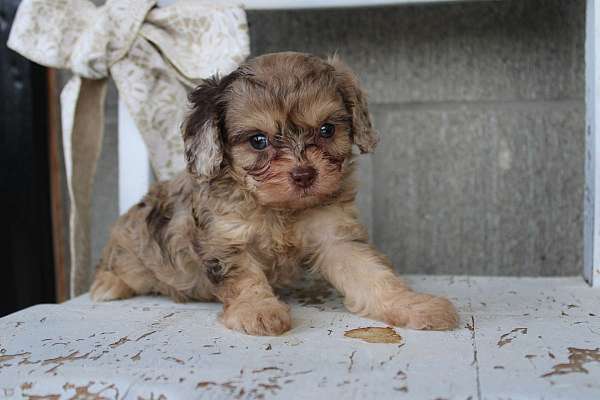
{"type": "Point", "coordinates": [152, 348]}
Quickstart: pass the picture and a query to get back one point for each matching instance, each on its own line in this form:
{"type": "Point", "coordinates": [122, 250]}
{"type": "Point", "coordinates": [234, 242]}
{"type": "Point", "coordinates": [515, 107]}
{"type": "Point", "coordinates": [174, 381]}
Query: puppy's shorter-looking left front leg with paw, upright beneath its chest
{"type": "Point", "coordinates": [249, 304]}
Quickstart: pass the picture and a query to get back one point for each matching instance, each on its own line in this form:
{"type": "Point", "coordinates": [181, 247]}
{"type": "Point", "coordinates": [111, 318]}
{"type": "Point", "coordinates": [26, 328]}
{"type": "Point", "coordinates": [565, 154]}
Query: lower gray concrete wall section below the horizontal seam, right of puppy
{"type": "Point", "coordinates": [493, 189]}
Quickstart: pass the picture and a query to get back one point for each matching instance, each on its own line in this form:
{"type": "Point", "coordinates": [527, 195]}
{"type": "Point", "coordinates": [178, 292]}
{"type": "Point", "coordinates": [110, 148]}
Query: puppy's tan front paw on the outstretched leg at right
{"type": "Point", "coordinates": [421, 311]}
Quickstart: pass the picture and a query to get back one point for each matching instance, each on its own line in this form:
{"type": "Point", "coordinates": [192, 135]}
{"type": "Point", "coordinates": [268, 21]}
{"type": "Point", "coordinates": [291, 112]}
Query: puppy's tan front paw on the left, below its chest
{"type": "Point", "coordinates": [266, 317]}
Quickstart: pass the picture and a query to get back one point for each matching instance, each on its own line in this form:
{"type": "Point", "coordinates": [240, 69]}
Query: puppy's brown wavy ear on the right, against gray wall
{"type": "Point", "coordinates": [363, 133]}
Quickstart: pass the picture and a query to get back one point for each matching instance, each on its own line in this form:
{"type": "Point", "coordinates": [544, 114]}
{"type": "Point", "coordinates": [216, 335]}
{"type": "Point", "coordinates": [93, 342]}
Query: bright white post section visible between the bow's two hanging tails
{"type": "Point", "coordinates": [135, 173]}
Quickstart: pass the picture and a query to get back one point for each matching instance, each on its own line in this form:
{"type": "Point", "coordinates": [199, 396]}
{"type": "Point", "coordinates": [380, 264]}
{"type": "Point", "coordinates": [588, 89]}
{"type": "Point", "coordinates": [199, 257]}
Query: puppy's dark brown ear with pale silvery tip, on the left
{"type": "Point", "coordinates": [202, 136]}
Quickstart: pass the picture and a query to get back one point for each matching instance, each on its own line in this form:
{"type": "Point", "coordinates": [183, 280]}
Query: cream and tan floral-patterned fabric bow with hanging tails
{"type": "Point", "coordinates": [152, 54]}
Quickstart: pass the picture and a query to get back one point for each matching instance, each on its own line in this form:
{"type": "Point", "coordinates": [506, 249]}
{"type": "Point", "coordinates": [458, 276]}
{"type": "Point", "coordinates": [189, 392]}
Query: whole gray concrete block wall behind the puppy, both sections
{"type": "Point", "coordinates": [481, 113]}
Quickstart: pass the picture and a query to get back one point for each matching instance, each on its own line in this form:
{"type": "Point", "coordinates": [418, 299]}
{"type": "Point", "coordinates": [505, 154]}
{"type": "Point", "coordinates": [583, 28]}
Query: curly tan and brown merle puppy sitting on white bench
{"type": "Point", "coordinates": [268, 193]}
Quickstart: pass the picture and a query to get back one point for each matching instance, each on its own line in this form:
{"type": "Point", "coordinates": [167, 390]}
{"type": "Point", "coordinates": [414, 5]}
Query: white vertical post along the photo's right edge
{"type": "Point", "coordinates": [591, 259]}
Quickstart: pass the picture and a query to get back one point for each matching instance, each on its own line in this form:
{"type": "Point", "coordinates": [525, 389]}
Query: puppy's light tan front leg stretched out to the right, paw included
{"type": "Point", "coordinates": [371, 288]}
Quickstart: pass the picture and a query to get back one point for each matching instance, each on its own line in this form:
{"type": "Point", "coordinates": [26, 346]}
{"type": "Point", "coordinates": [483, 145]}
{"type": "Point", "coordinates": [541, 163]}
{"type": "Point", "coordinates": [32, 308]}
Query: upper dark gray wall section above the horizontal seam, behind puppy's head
{"type": "Point", "coordinates": [520, 49]}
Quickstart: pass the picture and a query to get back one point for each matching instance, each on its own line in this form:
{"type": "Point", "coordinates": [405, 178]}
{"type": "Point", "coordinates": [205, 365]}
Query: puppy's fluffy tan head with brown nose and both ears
{"type": "Point", "coordinates": [282, 125]}
